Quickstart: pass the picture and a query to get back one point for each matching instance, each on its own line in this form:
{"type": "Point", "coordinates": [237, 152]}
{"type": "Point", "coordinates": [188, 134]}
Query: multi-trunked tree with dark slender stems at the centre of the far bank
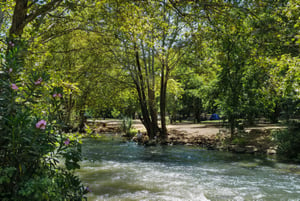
{"type": "Point", "coordinates": [148, 48]}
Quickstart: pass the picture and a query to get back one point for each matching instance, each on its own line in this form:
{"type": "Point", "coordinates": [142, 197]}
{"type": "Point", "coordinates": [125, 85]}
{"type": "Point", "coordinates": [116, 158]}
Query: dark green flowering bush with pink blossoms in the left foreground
{"type": "Point", "coordinates": [31, 143]}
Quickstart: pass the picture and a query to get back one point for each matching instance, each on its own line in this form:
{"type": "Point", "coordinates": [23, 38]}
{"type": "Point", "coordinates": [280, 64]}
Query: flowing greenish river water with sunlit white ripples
{"type": "Point", "coordinates": [116, 170]}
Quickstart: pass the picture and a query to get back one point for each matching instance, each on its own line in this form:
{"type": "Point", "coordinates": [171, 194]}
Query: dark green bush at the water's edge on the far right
{"type": "Point", "coordinates": [288, 141]}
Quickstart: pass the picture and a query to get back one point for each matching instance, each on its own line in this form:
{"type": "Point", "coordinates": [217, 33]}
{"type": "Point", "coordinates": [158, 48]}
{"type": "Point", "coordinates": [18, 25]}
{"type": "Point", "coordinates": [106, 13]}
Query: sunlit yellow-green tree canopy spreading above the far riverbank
{"type": "Point", "coordinates": [237, 58]}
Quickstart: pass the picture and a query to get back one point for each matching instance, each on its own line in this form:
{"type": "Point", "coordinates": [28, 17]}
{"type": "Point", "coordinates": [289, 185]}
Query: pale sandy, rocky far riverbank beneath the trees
{"type": "Point", "coordinates": [209, 135]}
